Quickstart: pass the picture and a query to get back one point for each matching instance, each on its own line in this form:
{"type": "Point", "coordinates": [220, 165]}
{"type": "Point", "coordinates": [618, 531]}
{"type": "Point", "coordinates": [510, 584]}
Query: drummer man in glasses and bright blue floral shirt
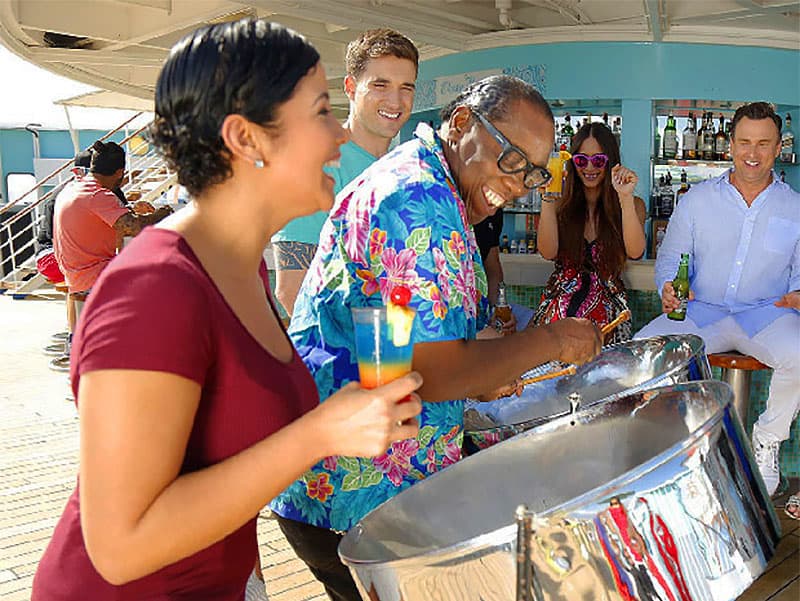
{"type": "Point", "coordinates": [407, 220]}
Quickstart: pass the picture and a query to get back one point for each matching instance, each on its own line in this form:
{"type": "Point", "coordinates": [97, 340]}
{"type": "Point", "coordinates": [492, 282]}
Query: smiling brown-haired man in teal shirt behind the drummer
{"type": "Point", "coordinates": [381, 68]}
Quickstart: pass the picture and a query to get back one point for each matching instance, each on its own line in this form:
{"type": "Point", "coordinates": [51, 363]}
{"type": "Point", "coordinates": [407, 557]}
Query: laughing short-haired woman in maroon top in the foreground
{"type": "Point", "coordinates": [195, 409]}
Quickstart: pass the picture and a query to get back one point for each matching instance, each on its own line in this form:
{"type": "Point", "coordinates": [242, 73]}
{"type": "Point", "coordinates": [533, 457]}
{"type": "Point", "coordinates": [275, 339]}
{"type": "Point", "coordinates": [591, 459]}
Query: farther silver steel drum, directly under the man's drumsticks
{"type": "Point", "coordinates": [617, 371]}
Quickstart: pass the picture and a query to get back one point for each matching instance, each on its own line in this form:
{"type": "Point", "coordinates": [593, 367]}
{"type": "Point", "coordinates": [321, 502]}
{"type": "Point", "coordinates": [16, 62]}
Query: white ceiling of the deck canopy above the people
{"type": "Point", "coordinates": [121, 44]}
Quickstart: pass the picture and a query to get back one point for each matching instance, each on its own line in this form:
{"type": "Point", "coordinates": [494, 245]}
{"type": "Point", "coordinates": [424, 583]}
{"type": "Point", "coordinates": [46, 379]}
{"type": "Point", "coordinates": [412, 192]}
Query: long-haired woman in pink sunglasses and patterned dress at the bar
{"type": "Point", "coordinates": [591, 232]}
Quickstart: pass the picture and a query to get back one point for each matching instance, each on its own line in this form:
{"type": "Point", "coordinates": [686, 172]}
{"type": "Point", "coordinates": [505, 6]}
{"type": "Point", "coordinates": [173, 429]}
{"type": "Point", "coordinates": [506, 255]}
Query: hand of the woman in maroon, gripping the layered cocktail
{"type": "Point", "coordinates": [363, 423]}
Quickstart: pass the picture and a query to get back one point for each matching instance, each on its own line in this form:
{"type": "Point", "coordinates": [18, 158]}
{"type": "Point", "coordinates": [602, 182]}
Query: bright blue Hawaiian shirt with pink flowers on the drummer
{"type": "Point", "coordinates": [401, 222]}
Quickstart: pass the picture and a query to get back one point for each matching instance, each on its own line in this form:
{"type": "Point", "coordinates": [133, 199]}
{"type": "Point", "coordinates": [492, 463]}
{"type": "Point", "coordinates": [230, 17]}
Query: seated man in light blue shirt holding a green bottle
{"type": "Point", "coordinates": [742, 232]}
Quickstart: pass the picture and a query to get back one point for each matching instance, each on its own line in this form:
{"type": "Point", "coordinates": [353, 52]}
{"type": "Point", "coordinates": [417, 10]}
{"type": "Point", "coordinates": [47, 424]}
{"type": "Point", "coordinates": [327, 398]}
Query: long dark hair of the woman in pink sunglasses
{"type": "Point", "coordinates": [574, 211]}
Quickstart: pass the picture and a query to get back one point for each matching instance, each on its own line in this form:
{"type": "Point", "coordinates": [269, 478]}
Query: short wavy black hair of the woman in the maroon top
{"type": "Point", "coordinates": [248, 67]}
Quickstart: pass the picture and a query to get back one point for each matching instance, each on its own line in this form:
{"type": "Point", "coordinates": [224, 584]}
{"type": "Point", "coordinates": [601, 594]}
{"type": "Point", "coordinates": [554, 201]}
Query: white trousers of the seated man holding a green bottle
{"type": "Point", "coordinates": [777, 345]}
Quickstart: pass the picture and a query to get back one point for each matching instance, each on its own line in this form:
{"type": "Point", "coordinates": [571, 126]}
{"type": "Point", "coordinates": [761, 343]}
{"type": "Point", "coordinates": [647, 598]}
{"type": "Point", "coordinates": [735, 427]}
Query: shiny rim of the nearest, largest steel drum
{"type": "Point", "coordinates": [566, 507]}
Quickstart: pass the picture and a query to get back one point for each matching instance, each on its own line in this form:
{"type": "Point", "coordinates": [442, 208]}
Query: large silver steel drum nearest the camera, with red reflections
{"type": "Point", "coordinates": [651, 496]}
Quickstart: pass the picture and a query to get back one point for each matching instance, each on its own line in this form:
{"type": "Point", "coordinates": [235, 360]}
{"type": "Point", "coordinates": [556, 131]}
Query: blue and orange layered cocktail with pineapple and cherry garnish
{"type": "Point", "coordinates": [379, 360]}
